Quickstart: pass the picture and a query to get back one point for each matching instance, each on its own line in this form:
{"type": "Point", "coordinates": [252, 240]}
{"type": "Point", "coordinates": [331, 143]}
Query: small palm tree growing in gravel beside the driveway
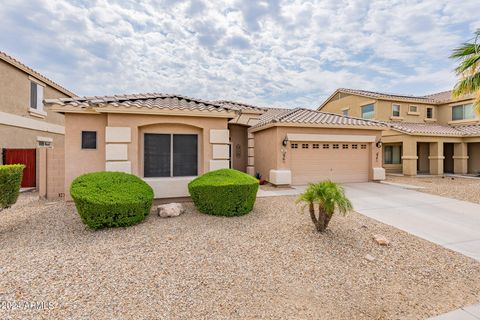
{"type": "Point", "coordinates": [330, 197]}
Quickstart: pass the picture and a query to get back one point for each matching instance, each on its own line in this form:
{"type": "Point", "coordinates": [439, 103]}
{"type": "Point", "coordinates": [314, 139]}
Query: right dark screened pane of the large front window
{"type": "Point", "coordinates": [185, 155]}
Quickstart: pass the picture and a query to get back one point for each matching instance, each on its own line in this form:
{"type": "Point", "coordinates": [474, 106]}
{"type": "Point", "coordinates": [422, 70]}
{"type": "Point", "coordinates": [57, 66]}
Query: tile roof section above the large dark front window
{"type": "Point", "coordinates": [136, 103]}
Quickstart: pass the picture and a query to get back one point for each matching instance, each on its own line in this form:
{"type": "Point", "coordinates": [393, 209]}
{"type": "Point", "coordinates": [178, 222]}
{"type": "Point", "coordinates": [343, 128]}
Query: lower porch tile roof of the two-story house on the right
{"type": "Point", "coordinates": [435, 129]}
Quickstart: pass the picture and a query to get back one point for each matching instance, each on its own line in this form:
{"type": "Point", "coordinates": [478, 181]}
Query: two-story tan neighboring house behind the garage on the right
{"type": "Point", "coordinates": [432, 134]}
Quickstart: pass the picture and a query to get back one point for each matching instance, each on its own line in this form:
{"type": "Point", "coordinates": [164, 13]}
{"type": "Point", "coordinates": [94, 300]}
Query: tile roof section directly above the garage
{"type": "Point", "coordinates": [309, 116]}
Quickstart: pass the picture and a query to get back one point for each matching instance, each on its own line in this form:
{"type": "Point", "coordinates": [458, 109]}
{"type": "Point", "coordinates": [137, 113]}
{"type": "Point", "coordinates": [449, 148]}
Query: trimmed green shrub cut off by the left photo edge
{"type": "Point", "coordinates": [10, 181]}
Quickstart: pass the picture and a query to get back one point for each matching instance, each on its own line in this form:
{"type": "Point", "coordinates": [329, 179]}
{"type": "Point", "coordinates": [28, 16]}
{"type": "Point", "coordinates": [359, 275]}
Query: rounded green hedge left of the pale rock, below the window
{"type": "Point", "coordinates": [111, 199]}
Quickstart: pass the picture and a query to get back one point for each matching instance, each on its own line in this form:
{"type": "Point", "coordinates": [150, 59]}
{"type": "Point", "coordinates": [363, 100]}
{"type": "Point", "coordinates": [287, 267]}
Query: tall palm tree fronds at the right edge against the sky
{"type": "Point", "coordinates": [468, 69]}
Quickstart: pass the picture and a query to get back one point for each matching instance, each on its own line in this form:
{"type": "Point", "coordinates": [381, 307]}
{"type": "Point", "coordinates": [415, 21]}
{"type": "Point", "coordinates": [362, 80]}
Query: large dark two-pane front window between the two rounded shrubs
{"type": "Point", "coordinates": [170, 155]}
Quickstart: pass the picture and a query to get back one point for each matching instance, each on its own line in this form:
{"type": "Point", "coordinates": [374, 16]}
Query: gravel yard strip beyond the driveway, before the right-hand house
{"type": "Point", "coordinates": [466, 189]}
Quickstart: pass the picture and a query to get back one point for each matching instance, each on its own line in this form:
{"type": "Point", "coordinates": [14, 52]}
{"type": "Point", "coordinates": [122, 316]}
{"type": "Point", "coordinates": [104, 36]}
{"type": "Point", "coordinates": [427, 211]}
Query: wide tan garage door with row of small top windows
{"type": "Point", "coordinates": [339, 162]}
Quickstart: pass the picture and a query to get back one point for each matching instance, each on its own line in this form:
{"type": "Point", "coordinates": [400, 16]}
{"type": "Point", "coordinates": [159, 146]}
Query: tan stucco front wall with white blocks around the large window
{"type": "Point", "coordinates": [120, 145]}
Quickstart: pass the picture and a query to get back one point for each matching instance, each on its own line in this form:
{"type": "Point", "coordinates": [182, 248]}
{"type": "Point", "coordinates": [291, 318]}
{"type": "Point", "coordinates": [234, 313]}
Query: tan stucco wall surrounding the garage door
{"type": "Point", "coordinates": [268, 146]}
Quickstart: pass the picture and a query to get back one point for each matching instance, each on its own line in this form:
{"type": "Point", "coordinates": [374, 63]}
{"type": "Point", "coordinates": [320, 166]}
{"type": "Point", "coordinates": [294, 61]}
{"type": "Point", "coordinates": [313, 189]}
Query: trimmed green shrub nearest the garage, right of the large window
{"type": "Point", "coordinates": [224, 192]}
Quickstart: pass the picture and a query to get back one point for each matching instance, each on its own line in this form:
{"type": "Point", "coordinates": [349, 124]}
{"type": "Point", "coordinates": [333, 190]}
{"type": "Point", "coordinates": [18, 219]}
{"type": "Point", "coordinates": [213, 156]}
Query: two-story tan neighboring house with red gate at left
{"type": "Point", "coordinates": [26, 128]}
